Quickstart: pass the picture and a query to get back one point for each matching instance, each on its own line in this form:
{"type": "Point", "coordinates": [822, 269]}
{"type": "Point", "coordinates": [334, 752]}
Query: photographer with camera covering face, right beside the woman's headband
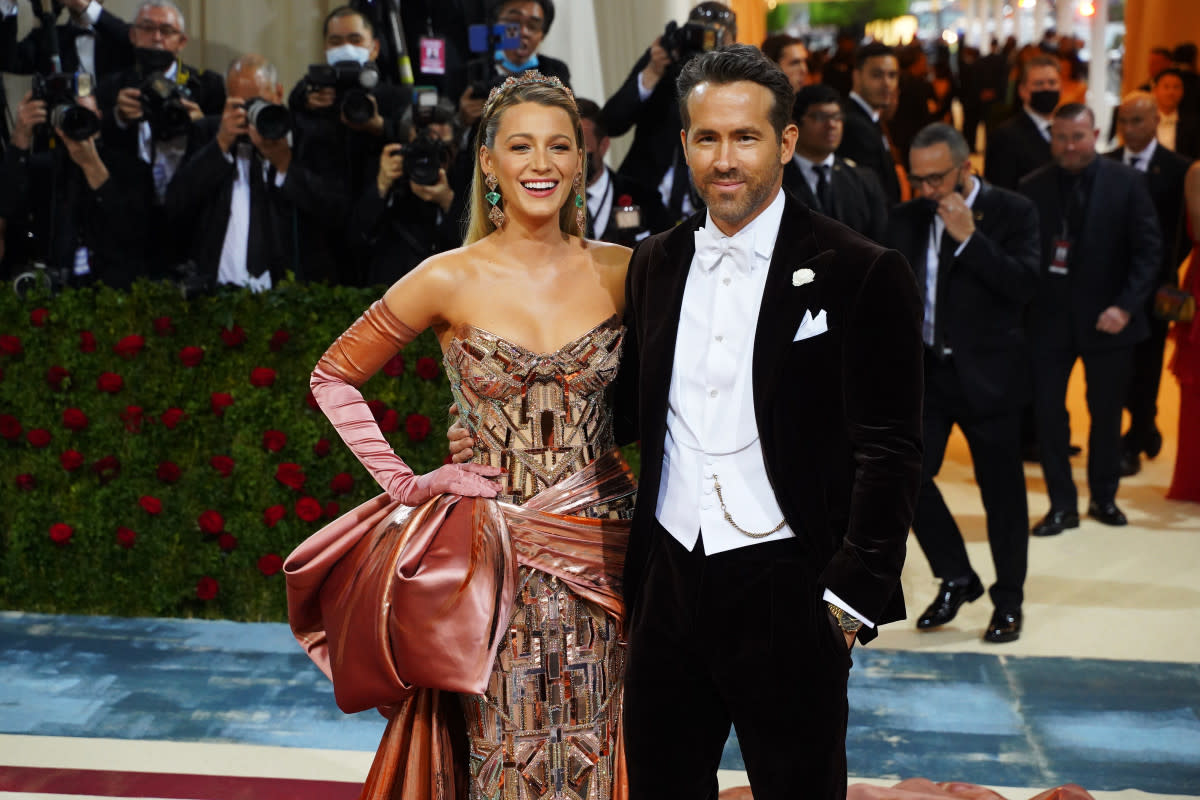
{"type": "Point", "coordinates": [416, 207]}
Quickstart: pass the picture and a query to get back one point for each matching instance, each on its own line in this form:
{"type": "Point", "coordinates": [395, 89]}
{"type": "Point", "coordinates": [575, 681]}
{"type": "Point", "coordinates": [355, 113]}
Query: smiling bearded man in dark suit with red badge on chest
{"type": "Point", "coordinates": [1100, 258]}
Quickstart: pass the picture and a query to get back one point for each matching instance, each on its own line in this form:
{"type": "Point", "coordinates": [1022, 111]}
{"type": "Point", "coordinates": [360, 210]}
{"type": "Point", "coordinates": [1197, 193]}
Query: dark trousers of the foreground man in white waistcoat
{"type": "Point", "coordinates": [739, 639]}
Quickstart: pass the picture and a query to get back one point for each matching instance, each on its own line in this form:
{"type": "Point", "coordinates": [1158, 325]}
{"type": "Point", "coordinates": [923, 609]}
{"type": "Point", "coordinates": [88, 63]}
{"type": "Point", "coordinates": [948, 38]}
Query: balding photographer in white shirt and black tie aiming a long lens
{"type": "Point", "coordinates": [243, 195]}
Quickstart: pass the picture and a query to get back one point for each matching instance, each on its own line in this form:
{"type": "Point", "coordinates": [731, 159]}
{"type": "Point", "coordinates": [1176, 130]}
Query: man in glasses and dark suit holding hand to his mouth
{"type": "Point", "coordinates": [975, 250]}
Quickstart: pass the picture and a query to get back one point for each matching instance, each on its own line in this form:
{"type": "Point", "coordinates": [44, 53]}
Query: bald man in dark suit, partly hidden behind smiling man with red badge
{"type": "Point", "coordinates": [1138, 121]}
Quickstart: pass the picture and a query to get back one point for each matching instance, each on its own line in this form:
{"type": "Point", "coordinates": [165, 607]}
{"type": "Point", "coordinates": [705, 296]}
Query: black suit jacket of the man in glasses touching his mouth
{"type": "Point", "coordinates": [982, 293]}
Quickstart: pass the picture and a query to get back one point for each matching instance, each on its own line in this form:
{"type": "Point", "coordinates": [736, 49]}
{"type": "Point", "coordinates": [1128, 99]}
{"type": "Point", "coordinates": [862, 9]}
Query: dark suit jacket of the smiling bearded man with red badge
{"type": "Point", "coordinates": [1114, 261]}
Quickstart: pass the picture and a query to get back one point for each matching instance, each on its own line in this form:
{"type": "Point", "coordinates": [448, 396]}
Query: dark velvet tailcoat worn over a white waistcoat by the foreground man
{"type": "Point", "coordinates": [838, 414]}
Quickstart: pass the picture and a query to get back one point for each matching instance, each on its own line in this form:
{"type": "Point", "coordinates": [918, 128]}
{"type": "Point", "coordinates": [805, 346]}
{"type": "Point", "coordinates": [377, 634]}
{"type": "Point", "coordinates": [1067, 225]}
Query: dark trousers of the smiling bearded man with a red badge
{"type": "Point", "coordinates": [1108, 378]}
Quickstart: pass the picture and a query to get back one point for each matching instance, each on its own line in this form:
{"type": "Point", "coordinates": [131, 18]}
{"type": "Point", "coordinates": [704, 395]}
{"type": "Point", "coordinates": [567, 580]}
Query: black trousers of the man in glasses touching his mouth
{"type": "Point", "coordinates": [995, 447]}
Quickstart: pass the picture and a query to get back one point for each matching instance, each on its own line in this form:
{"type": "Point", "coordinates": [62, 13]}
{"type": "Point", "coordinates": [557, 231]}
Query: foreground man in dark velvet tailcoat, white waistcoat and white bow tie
{"type": "Point", "coordinates": [773, 359]}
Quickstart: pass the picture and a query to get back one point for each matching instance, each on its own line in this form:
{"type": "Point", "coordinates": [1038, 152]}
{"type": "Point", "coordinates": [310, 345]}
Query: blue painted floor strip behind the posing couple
{"type": "Point", "coordinates": [985, 719]}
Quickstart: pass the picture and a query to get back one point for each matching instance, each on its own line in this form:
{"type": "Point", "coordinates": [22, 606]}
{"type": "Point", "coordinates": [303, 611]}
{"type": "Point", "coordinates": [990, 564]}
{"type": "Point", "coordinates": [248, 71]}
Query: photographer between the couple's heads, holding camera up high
{"type": "Point", "coordinates": [649, 100]}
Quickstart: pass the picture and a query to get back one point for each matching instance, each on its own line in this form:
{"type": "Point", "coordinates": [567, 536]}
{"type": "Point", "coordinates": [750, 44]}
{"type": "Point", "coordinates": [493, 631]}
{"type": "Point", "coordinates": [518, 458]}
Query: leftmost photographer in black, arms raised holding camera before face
{"type": "Point", "coordinates": [79, 207]}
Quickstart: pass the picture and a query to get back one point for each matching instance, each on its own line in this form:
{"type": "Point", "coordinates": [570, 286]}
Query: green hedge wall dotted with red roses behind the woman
{"type": "Point", "coordinates": [161, 456]}
